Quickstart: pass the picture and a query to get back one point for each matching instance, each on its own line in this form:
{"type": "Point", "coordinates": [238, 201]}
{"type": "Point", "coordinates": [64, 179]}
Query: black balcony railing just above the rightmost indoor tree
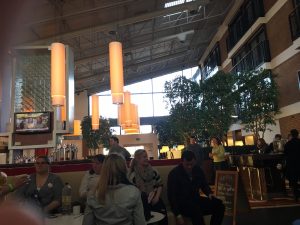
{"type": "Point", "coordinates": [254, 58]}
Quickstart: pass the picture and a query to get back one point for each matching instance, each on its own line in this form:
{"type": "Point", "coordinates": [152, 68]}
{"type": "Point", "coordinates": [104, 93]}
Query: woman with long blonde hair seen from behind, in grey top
{"type": "Point", "coordinates": [116, 201]}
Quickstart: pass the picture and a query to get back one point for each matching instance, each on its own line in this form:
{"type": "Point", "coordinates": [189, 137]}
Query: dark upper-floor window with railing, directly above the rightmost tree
{"type": "Point", "coordinates": [254, 53]}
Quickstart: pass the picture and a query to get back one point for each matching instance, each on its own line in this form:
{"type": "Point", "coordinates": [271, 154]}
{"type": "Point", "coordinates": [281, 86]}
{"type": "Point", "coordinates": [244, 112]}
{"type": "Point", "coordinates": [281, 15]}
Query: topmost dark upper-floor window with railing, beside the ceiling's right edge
{"type": "Point", "coordinates": [247, 15]}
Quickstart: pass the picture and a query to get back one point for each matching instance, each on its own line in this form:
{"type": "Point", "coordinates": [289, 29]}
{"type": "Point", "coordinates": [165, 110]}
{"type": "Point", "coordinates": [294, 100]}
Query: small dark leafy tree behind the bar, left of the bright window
{"type": "Point", "coordinates": [94, 138]}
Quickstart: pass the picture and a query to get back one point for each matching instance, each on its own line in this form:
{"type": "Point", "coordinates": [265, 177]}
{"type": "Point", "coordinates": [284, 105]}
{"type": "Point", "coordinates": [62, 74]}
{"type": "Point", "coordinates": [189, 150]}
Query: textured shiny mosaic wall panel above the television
{"type": "Point", "coordinates": [32, 83]}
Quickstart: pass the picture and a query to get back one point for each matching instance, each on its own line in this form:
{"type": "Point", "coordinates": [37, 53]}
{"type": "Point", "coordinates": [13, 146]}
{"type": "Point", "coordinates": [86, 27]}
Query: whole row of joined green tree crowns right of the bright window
{"type": "Point", "coordinates": [206, 110]}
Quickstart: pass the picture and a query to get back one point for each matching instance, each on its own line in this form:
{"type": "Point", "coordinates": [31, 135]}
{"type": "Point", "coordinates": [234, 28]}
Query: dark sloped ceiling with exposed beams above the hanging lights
{"type": "Point", "coordinates": [156, 40]}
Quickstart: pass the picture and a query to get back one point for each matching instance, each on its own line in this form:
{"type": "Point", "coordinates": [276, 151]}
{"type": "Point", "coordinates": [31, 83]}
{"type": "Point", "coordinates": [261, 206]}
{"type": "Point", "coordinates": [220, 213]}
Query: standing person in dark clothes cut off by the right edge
{"type": "Point", "coordinates": [292, 154]}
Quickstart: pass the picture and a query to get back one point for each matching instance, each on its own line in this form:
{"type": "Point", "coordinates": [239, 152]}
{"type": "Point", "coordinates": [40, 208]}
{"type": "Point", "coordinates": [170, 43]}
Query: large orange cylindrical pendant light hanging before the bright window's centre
{"type": "Point", "coordinates": [116, 72]}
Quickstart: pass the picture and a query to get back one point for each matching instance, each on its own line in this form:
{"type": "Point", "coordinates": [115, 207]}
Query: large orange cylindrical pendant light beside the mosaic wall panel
{"type": "Point", "coordinates": [58, 74]}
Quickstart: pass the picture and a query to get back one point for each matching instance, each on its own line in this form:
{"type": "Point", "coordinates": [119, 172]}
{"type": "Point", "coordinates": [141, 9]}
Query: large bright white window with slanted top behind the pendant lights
{"type": "Point", "coordinates": [148, 95]}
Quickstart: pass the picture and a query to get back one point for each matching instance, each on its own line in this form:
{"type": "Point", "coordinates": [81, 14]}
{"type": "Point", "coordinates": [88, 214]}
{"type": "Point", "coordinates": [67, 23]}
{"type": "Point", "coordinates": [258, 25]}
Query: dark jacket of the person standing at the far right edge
{"type": "Point", "coordinates": [292, 154]}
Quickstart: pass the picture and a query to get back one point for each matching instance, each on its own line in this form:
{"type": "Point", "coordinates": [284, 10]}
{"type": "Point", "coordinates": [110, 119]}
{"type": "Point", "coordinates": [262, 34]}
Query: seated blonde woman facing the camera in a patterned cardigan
{"type": "Point", "coordinates": [149, 182]}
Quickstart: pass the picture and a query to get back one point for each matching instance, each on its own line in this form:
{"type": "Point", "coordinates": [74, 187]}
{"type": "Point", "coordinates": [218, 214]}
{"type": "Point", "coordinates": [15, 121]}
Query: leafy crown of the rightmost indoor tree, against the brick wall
{"type": "Point", "coordinates": [258, 104]}
